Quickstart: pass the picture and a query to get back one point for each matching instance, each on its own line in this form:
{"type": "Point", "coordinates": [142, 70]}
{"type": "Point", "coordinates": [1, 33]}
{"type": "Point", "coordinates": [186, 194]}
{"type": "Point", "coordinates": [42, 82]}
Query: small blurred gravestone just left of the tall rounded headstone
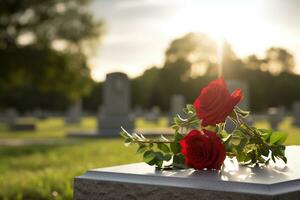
{"type": "Point", "coordinates": [74, 113]}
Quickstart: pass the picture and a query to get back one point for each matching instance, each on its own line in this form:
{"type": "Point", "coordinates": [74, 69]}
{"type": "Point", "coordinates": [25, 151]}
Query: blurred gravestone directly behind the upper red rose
{"type": "Point", "coordinates": [244, 104]}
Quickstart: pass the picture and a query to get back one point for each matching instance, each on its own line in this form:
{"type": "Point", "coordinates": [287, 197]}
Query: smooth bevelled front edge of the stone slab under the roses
{"type": "Point", "coordinates": [223, 186]}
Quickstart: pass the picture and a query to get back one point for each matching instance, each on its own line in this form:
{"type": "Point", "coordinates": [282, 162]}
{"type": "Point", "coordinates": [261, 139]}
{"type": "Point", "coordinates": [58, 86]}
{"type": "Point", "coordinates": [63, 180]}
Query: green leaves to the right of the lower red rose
{"type": "Point", "coordinates": [251, 145]}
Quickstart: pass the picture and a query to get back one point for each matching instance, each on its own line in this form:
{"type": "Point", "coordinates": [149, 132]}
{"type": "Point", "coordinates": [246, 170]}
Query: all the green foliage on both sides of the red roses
{"type": "Point", "coordinates": [249, 145]}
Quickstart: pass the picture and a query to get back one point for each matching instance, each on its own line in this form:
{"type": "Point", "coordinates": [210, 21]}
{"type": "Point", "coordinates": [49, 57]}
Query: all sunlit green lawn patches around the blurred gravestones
{"type": "Point", "coordinates": [47, 172]}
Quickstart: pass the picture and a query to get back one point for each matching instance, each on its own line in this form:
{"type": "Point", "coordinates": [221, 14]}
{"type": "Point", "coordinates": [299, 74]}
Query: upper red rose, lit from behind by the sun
{"type": "Point", "coordinates": [215, 102]}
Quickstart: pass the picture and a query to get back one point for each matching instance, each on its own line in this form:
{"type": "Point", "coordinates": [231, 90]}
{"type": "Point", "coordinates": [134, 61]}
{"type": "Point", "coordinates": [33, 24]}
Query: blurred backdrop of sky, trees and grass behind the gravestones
{"type": "Point", "coordinates": [54, 53]}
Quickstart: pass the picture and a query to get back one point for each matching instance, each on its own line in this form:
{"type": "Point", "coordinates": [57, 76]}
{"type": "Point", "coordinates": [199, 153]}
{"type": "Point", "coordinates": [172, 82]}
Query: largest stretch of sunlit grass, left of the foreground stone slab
{"type": "Point", "coordinates": [47, 172]}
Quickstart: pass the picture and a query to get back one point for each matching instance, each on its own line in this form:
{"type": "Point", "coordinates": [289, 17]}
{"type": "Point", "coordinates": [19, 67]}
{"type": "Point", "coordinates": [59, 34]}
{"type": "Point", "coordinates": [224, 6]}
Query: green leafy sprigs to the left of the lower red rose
{"type": "Point", "coordinates": [157, 150]}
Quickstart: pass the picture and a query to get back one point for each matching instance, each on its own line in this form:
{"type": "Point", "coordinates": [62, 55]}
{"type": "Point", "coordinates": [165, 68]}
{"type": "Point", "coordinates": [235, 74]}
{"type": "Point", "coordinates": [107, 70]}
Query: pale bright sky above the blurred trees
{"type": "Point", "coordinates": [137, 32]}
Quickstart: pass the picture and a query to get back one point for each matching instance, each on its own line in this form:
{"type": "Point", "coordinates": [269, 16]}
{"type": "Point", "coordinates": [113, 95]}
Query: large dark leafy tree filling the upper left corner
{"type": "Point", "coordinates": [44, 45]}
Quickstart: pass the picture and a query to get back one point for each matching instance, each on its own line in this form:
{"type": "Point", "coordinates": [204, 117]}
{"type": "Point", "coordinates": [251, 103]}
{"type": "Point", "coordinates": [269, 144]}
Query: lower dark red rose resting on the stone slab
{"type": "Point", "coordinates": [203, 150]}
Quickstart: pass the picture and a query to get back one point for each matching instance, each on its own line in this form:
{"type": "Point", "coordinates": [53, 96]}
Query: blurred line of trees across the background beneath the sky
{"type": "Point", "coordinates": [44, 47]}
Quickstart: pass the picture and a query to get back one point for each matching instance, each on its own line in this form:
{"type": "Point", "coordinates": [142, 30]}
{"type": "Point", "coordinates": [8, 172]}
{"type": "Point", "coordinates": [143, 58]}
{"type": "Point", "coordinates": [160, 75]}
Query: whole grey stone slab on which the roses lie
{"type": "Point", "coordinates": [140, 181]}
